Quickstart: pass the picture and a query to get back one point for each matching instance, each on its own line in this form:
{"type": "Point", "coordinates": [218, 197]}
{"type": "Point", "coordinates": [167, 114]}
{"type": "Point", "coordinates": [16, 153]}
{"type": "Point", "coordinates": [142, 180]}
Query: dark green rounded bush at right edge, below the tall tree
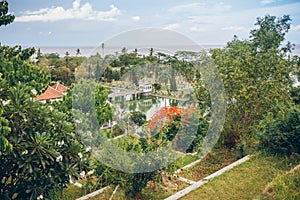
{"type": "Point", "coordinates": [280, 134]}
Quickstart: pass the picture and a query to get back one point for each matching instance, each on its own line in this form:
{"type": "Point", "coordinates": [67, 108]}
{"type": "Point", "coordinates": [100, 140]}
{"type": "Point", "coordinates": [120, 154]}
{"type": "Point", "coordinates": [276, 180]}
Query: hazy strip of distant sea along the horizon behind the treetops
{"type": "Point", "coordinates": [87, 51]}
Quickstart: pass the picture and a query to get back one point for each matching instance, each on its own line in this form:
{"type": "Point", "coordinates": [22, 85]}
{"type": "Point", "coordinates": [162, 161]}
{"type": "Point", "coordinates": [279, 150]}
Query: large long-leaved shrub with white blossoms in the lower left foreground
{"type": "Point", "coordinates": [45, 152]}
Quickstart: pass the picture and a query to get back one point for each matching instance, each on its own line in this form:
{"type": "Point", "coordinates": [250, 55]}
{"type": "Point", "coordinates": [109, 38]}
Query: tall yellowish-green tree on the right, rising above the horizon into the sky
{"type": "Point", "coordinates": [256, 76]}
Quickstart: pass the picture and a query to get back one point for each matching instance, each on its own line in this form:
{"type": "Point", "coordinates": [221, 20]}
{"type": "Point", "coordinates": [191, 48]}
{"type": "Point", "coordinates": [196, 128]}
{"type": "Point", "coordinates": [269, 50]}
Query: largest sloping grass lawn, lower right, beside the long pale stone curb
{"type": "Point", "coordinates": [246, 181]}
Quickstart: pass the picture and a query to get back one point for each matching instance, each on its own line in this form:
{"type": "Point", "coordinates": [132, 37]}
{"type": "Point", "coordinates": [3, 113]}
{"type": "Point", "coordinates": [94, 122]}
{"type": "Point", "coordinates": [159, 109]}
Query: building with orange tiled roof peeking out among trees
{"type": "Point", "coordinates": [55, 92]}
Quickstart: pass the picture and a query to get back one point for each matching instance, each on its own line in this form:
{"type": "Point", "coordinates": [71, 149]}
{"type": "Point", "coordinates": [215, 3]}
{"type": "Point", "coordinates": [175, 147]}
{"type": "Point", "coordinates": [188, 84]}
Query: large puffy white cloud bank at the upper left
{"type": "Point", "coordinates": [78, 11]}
